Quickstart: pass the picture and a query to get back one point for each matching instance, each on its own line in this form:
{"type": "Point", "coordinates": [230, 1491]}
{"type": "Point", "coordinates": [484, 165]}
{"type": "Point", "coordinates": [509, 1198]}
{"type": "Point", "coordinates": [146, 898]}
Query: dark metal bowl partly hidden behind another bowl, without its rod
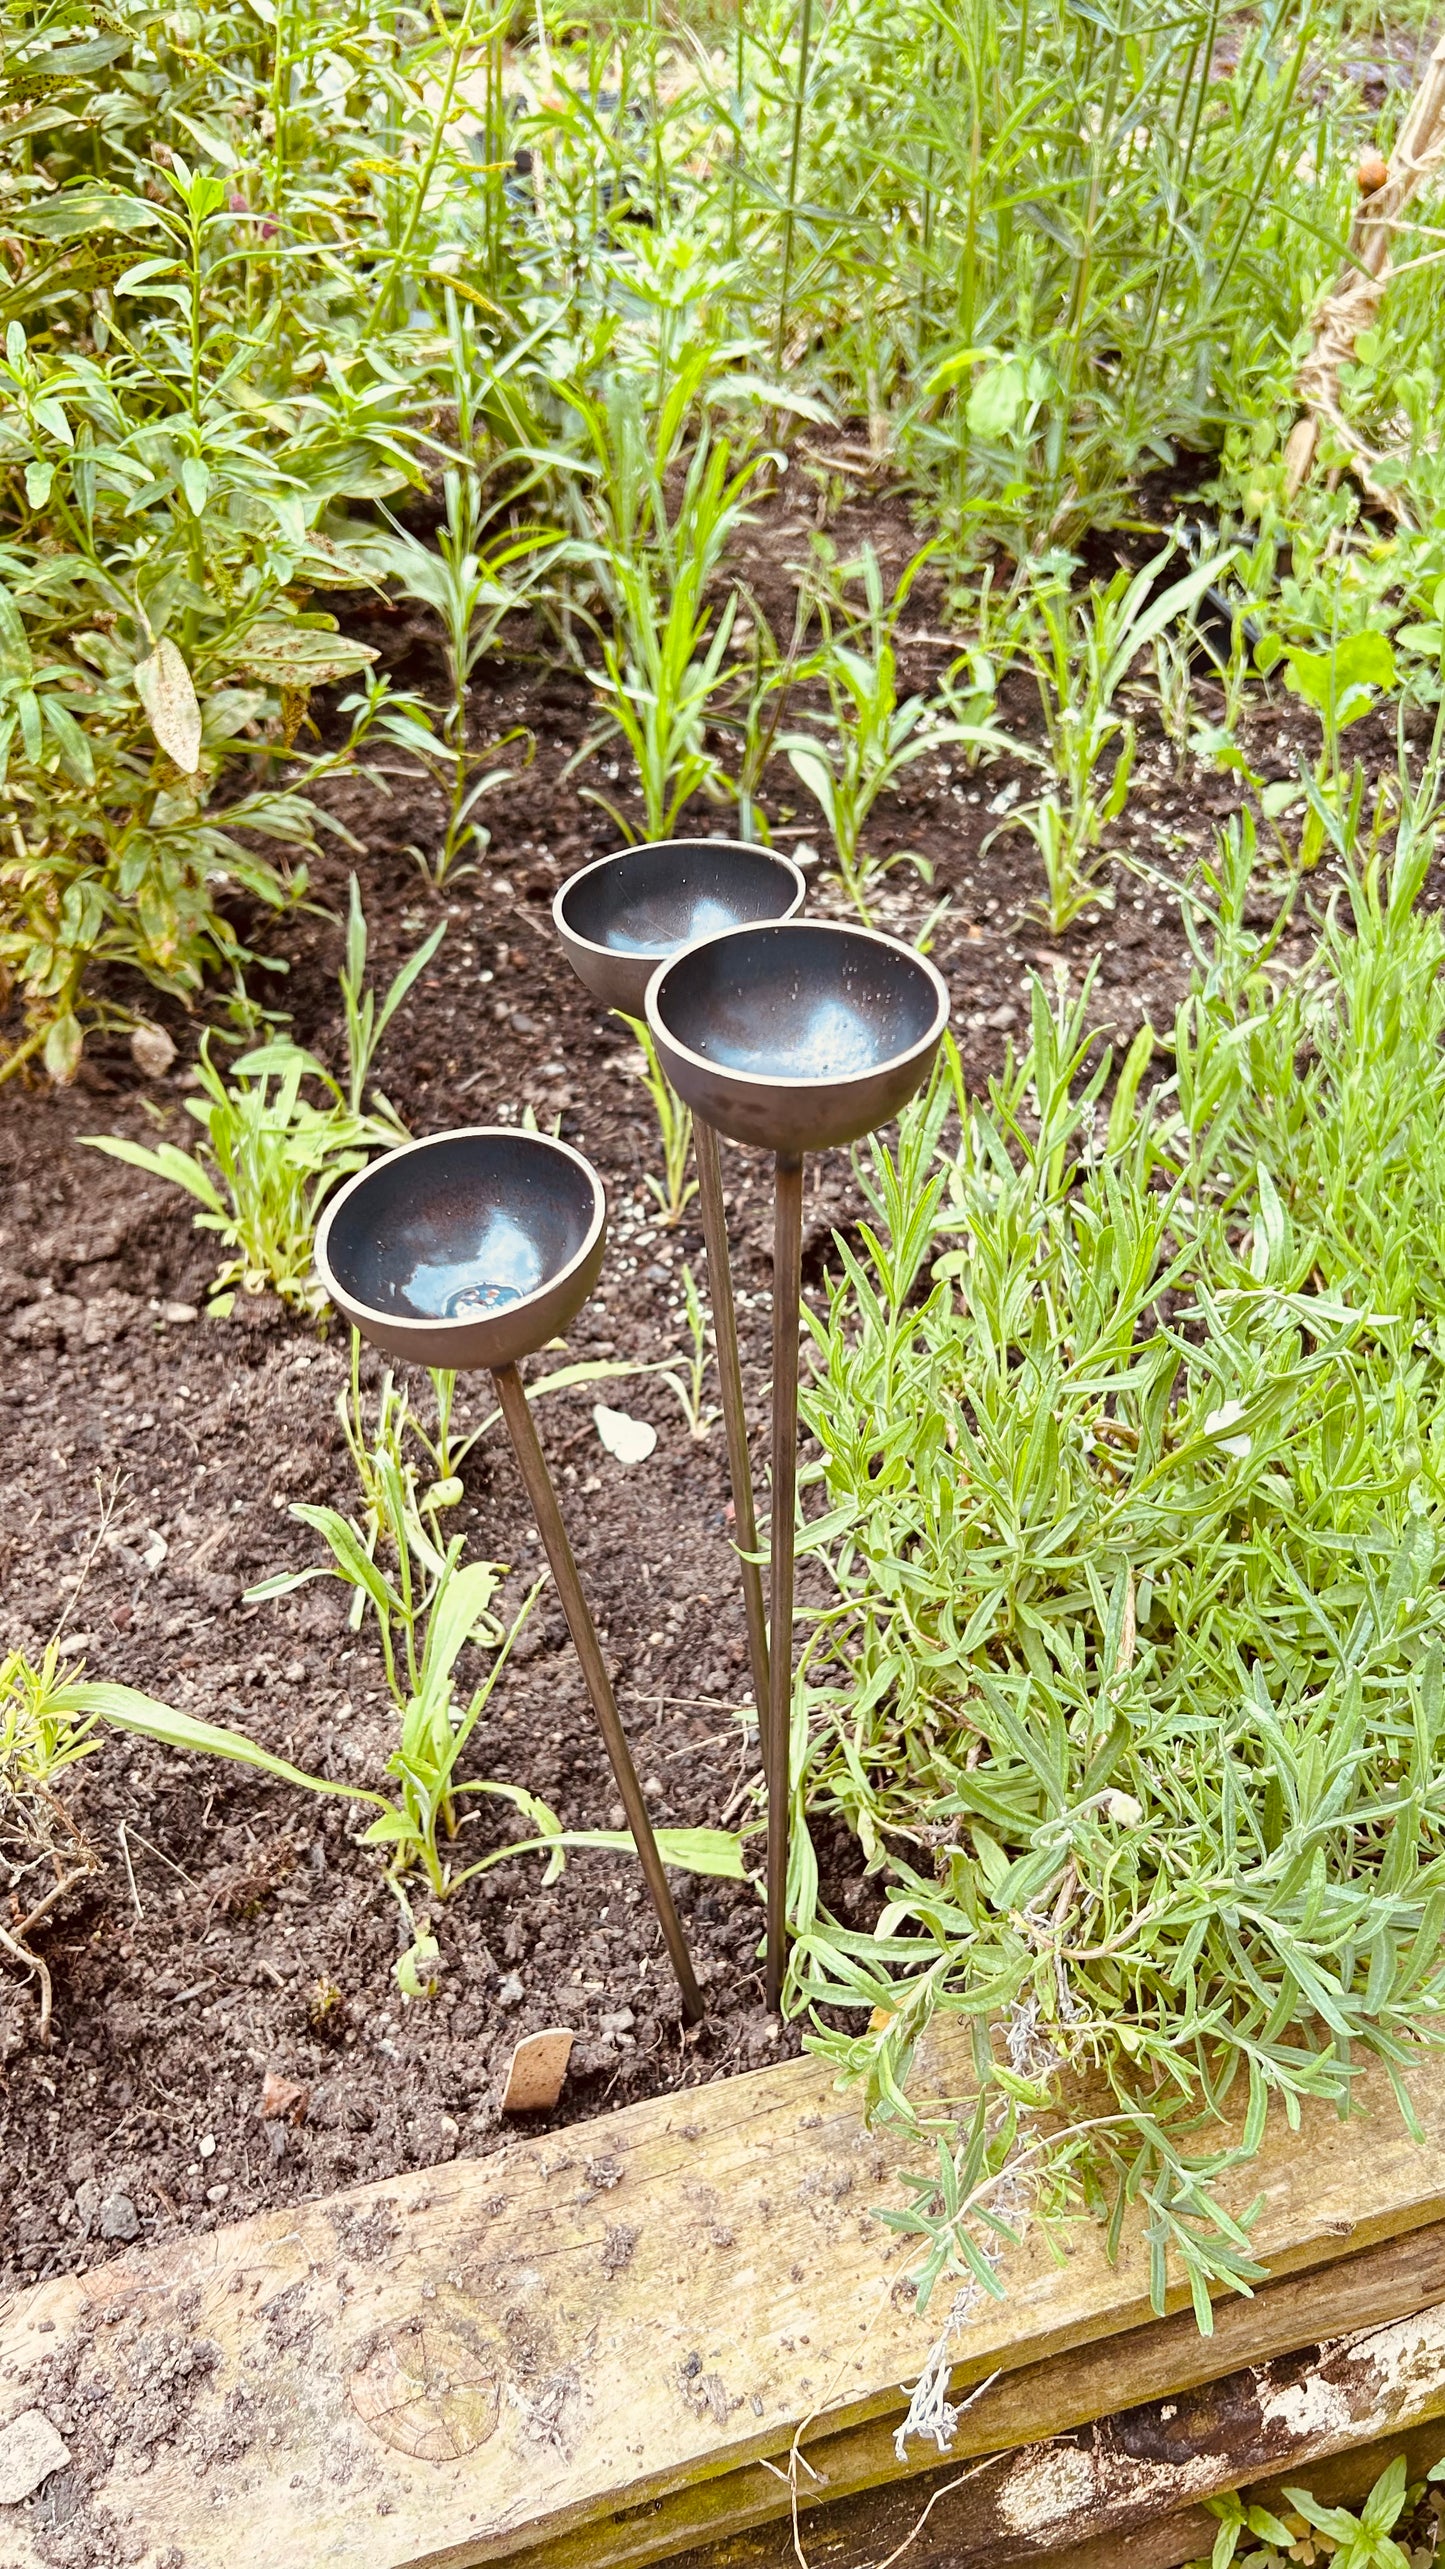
{"type": "Point", "coordinates": [621, 916]}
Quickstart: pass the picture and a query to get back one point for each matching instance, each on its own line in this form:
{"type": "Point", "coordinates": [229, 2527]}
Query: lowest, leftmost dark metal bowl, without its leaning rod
{"type": "Point", "coordinates": [467, 1250]}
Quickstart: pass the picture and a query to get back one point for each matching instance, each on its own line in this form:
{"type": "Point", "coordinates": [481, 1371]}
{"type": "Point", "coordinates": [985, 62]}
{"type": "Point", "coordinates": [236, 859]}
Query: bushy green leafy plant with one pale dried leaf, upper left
{"type": "Point", "coordinates": [220, 333]}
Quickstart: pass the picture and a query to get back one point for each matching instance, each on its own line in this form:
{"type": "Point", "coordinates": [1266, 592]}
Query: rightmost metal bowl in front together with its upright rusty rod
{"type": "Point", "coordinates": [793, 1037]}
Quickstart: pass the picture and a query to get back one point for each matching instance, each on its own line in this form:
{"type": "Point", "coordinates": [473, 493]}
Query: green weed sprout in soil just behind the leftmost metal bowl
{"type": "Point", "coordinates": [271, 1157]}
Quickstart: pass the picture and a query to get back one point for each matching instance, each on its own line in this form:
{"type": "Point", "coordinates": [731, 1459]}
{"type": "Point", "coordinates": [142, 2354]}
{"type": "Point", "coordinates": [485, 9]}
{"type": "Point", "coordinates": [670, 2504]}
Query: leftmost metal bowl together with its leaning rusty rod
{"type": "Point", "coordinates": [474, 1250]}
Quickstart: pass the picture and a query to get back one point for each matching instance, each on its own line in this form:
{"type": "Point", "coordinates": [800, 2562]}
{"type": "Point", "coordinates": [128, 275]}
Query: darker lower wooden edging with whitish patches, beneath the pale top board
{"type": "Point", "coordinates": [1112, 2442]}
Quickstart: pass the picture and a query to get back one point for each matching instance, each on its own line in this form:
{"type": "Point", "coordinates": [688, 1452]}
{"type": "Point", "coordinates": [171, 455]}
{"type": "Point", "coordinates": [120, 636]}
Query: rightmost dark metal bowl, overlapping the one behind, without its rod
{"type": "Point", "coordinates": [798, 1037]}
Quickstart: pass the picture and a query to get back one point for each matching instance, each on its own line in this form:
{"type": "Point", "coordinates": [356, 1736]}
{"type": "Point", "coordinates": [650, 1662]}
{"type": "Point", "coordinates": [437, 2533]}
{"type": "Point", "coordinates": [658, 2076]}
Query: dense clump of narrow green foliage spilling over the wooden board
{"type": "Point", "coordinates": [1133, 1679]}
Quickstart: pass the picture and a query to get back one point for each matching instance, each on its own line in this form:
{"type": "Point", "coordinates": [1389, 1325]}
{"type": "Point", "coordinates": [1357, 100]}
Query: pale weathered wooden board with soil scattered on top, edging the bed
{"type": "Point", "coordinates": [467, 2365]}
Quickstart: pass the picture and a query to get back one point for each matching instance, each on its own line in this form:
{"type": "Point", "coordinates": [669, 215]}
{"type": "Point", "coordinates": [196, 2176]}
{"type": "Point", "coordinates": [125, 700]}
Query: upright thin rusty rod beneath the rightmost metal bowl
{"type": "Point", "coordinates": [788, 1306]}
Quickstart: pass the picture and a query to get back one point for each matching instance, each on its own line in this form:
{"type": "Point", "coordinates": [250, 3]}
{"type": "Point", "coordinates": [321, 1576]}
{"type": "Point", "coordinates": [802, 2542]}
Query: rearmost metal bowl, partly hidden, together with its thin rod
{"type": "Point", "coordinates": [618, 921]}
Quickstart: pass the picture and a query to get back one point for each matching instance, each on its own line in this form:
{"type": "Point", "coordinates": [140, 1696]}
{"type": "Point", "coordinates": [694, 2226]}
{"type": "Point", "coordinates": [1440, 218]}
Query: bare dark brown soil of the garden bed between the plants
{"type": "Point", "coordinates": [235, 1928]}
